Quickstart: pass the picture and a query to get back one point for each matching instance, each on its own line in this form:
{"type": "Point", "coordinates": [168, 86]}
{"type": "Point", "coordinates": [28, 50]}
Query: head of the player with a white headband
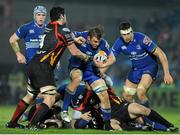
{"type": "Point", "coordinates": [126, 31]}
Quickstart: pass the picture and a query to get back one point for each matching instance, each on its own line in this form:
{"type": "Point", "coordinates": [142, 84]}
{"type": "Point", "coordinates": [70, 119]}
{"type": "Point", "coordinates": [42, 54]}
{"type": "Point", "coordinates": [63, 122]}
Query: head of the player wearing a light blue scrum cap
{"type": "Point", "coordinates": [39, 14]}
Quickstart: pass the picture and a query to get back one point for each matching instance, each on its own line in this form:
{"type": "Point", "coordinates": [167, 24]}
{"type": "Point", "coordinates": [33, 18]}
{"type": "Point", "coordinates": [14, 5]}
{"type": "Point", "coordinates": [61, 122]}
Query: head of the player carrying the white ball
{"type": "Point", "coordinates": [94, 36]}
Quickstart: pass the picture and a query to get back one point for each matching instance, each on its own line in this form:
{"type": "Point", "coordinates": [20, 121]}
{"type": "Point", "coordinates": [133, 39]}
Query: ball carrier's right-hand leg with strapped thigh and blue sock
{"type": "Point", "coordinates": [100, 88]}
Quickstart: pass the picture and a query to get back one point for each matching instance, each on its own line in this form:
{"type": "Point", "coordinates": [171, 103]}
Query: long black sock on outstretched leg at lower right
{"type": "Point", "coordinates": [154, 116]}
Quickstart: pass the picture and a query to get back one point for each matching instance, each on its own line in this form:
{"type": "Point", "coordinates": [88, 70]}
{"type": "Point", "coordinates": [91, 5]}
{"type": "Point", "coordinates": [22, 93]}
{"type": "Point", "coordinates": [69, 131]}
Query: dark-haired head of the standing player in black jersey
{"type": "Point", "coordinates": [58, 14]}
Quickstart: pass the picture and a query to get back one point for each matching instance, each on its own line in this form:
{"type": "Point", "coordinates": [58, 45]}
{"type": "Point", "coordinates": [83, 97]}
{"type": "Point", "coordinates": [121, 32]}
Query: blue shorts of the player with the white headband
{"type": "Point", "coordinates": [135, 75]}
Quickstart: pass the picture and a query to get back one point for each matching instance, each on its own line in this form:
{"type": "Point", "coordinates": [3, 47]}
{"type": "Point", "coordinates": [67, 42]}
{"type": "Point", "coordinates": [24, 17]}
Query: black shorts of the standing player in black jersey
{"type": "Point", "coordinates": [40, 74]}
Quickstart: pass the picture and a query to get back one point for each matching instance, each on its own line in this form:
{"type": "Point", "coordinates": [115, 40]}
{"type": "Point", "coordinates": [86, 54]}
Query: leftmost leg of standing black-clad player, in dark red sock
{"type": "Point", "coordinates": [21, 107]}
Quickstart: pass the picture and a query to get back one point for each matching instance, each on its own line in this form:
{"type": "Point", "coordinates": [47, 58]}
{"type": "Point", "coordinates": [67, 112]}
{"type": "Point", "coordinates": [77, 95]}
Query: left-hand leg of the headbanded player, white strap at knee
{"type": "Point", "coordinates": [129, 90]}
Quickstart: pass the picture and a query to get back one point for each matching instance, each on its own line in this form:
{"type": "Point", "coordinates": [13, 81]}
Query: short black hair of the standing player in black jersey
{"type": "Point", "coordinates": [56, 12]}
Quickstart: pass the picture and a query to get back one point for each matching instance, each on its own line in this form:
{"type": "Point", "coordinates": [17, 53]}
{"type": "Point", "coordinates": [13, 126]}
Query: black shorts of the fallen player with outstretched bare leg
{"type": "Point", "coordinates": [120, 112]}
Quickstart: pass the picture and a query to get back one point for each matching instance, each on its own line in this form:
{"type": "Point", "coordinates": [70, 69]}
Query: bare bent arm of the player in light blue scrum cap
{"type": "Point", "coordinates": [15, 46]}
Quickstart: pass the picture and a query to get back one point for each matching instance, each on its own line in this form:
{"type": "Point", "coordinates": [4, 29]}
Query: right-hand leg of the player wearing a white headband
{"type": "Point", "coordinates": [143, 87]}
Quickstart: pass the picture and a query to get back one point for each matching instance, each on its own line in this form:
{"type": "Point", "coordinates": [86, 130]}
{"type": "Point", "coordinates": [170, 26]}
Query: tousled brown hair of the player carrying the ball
{"type": "Point", "coordinates": [96, 31]}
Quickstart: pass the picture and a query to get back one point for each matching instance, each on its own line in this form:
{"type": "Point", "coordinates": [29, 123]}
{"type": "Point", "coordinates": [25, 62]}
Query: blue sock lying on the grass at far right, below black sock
{"type": "Point", "coordinates": [155, 125]}
